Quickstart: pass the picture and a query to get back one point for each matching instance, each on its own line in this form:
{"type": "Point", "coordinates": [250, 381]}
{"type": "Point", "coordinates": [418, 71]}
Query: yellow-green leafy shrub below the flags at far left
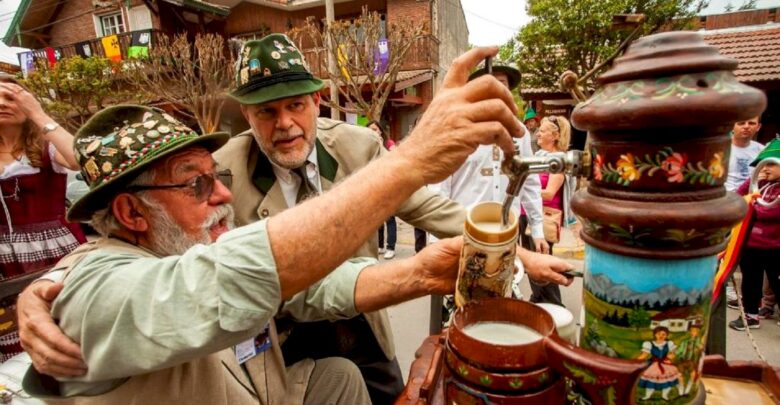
{"type": "Point", "coordinates": [75, 88]}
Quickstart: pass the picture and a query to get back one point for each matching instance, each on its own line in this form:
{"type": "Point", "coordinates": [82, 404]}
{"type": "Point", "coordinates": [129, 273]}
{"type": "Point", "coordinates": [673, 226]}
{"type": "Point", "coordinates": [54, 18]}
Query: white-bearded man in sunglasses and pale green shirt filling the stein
{"type": "Point", "coordinates": [191, 320]}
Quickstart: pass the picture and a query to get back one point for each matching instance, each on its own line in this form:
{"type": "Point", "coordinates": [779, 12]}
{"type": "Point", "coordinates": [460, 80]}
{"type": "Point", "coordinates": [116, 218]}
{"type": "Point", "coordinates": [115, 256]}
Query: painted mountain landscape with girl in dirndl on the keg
{"type": "Point", "coordinates": [652, 310]}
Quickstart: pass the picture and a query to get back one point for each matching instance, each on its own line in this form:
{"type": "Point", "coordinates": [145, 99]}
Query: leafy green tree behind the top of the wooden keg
{"type": "Point", "coordinates": [577, 35]}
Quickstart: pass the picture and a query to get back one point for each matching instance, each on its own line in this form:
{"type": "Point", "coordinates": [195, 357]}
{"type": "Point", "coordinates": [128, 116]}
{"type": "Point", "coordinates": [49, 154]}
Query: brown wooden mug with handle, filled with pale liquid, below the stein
{"type": "Point", "coordinates": [507, 351]}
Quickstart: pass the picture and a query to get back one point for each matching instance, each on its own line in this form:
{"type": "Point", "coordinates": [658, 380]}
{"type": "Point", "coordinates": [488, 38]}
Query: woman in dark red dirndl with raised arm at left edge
{"type": "Point", "coordinates": [34, 155]}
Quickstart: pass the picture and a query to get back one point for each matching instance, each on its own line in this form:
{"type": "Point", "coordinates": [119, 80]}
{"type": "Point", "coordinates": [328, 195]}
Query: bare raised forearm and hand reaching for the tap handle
{"type": "Point", "coordinates": [462, 116]}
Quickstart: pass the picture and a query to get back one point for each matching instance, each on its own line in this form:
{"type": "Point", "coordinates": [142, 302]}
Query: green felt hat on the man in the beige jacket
{"type": "Point", "coordinates": [272, 68]}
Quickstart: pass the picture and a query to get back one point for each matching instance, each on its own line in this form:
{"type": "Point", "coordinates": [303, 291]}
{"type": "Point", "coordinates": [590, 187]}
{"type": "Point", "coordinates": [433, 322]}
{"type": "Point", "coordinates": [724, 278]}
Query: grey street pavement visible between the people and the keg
{"type": "Point", "coordinates": [410, 320]}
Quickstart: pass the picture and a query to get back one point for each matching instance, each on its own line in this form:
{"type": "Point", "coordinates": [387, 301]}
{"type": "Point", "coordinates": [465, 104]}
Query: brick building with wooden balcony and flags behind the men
{"type": "Point", "coordinates": [70, 23]}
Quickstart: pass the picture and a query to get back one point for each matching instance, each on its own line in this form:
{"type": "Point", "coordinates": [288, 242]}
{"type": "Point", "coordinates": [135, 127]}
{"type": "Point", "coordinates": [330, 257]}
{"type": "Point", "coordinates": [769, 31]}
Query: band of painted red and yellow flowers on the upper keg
{"type": "Point", "coordinates": [675, 166]}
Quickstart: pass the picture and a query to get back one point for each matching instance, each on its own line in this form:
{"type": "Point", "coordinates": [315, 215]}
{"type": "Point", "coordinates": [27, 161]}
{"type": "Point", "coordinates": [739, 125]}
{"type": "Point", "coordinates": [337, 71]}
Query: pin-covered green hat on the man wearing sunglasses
{"type": "Point", "coordinates": [118, 142]}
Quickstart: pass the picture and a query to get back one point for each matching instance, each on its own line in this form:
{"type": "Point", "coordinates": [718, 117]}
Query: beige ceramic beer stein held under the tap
{"type": "Point", "coordinates": [488, 256]}
